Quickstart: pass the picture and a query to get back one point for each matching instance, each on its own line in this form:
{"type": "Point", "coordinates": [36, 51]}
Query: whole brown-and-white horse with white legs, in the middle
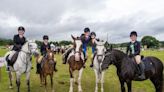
{"type": "Point", "coordinates": [76, 62]}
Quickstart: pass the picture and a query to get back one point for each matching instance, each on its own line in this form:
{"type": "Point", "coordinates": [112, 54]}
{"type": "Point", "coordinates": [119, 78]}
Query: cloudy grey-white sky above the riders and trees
{"type": "Point", "coordinates": [61, 18]}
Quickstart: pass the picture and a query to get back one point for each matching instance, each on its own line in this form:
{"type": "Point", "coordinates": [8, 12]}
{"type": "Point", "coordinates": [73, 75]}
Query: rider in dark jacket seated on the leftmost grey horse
{"type": "Point", "coordinates": [19, 40]}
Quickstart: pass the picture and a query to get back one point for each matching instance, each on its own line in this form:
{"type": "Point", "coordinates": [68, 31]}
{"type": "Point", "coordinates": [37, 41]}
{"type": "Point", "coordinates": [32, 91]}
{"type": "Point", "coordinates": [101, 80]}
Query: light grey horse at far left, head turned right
{"type": "Point", "coordinates": [22, 64]}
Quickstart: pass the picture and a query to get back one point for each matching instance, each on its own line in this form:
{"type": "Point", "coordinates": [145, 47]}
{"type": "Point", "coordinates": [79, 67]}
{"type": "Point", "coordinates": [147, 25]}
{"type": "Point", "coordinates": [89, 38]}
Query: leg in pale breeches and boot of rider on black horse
{"type": "Point", "coordinates": [141, 66]}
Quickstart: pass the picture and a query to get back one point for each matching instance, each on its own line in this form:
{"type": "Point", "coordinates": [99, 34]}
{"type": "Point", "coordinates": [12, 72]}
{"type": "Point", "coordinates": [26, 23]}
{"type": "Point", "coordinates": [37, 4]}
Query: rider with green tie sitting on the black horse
{"type": "Point", "coordinates": [134, 49]}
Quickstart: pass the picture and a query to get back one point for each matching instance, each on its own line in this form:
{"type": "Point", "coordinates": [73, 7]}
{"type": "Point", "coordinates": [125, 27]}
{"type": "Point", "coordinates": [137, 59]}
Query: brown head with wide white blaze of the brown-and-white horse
{"type": "Point", "coordinates": [77, 45]}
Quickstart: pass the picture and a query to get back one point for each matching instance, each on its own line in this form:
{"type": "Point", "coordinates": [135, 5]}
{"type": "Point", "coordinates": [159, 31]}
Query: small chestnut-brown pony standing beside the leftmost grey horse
{"type": "Point", "coordinates": [47, 69]}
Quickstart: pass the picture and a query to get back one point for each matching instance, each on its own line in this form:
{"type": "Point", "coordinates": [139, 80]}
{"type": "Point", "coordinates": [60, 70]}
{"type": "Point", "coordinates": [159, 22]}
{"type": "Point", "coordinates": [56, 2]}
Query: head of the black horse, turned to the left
{"type": "Point", "coordinates": [109, 58]}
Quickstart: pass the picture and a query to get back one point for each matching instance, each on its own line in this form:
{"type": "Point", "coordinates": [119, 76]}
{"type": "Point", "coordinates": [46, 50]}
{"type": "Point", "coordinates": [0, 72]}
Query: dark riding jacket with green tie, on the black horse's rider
{"type": "Point", "coordinates": [133, 49]}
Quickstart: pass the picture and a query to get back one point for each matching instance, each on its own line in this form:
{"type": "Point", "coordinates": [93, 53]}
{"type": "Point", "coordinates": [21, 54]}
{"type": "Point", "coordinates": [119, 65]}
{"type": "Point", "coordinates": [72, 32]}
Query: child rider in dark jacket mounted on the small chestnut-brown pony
{"type": "Point", "coordinates": [45, 45]}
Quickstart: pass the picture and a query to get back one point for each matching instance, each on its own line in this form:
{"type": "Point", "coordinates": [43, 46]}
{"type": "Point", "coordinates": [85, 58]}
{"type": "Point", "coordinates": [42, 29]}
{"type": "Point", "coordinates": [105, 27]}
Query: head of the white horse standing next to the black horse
{"type": "Point", "coordinates": [100, 49]}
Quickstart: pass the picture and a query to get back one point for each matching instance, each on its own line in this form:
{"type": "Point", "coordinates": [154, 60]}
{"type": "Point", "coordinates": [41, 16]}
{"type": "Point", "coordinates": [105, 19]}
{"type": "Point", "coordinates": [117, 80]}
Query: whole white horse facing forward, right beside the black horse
{"type": "Point", "coordinates": [97, 61]}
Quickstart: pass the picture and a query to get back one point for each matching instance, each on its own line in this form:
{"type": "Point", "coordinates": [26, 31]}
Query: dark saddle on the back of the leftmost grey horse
{"type": "Point", "coordinates": [13, 59]}
